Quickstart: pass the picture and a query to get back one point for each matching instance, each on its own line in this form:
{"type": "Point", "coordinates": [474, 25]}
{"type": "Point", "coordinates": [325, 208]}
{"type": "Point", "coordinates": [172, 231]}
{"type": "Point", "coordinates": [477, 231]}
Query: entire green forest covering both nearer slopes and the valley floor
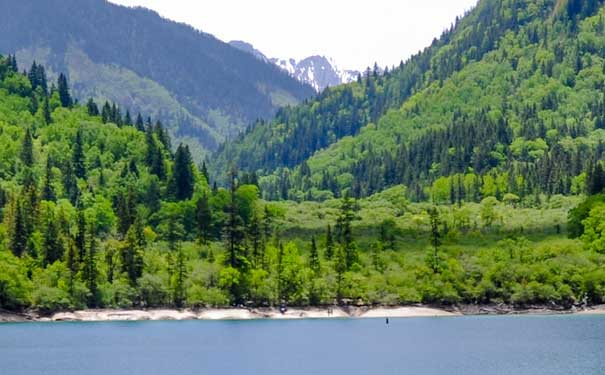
{"type": "Point", "coordinates": [471, 174]}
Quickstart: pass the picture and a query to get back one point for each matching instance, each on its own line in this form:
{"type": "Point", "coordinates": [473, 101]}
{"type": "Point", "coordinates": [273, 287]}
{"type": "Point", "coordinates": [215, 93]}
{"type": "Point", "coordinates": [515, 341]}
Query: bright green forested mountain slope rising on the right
{"type": "Point", "coordinates": [509, 100]}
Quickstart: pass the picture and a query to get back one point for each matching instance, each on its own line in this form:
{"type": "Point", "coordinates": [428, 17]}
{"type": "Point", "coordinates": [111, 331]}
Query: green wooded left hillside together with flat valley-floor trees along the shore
{"type": "Point", "coordinates": [98, 212]}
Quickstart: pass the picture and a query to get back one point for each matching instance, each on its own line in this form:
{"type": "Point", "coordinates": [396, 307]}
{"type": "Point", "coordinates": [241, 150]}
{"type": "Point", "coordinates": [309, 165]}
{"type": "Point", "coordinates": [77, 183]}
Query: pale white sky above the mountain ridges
{"type": "Point", "coordinates": [356, 33]}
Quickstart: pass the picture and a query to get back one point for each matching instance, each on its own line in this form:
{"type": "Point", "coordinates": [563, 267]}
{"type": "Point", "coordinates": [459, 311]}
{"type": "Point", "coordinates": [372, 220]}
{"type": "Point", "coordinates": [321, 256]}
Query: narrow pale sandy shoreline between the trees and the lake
{"type": "Point", "coordinates": [337, 312]}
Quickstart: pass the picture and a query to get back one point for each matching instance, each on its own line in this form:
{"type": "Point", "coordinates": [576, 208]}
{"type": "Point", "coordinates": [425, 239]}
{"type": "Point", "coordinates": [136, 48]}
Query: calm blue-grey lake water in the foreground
{"type": "Point", "coordinates": [536, 345]}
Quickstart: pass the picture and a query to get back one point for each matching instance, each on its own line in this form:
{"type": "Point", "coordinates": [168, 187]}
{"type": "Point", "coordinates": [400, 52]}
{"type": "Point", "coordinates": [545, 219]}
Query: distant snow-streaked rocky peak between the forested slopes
{"type": "Point", "coordinates": [319, 72]}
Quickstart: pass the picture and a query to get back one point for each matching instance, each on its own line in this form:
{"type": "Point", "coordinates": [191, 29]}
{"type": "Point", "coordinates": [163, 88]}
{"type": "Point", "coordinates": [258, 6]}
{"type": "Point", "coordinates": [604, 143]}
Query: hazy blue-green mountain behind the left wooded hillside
{"type": "Point", "coordinates": [204, 89]}
